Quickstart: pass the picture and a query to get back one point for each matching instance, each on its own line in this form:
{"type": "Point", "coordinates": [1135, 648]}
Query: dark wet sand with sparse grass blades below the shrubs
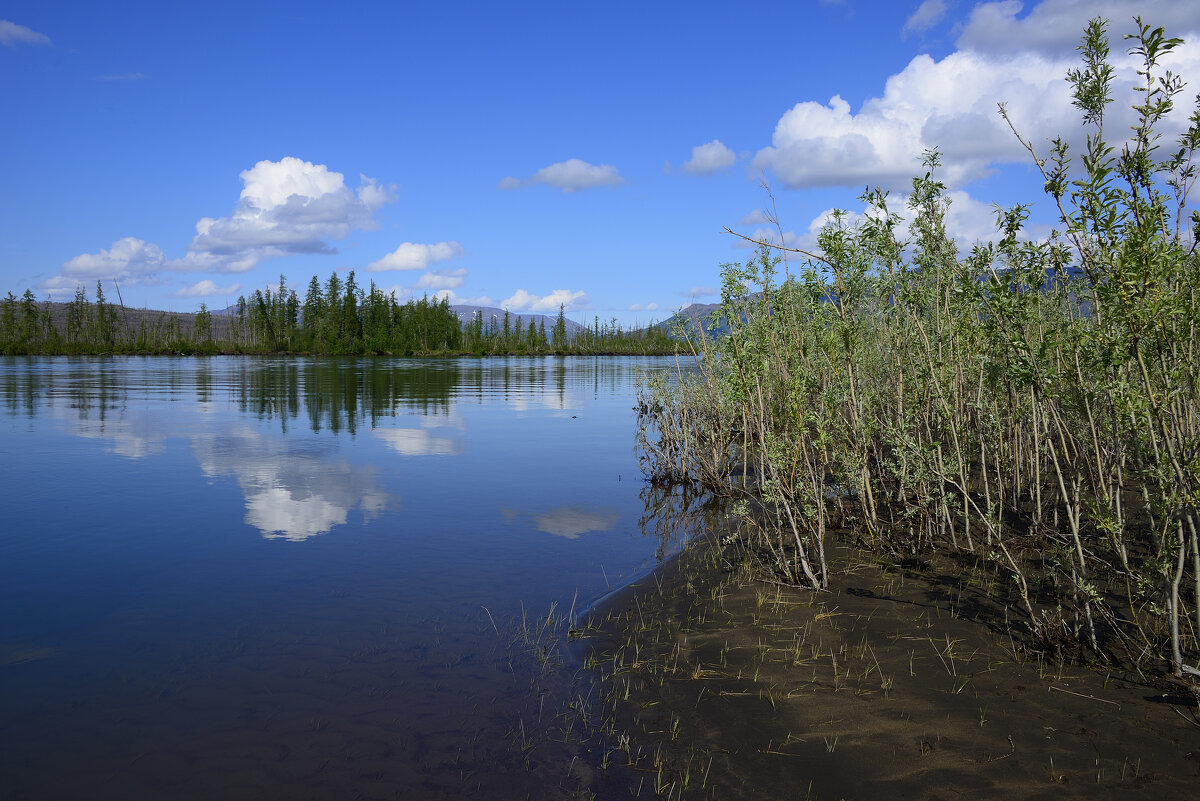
{"type": "Point", "coordinates": [901, 683]}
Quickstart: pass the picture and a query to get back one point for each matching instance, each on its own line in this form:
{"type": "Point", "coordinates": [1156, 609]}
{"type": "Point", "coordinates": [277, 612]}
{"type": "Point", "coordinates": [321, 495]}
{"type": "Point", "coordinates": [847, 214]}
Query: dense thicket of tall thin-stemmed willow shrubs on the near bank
{"type": "Point", "coordinates": [1031, 406]}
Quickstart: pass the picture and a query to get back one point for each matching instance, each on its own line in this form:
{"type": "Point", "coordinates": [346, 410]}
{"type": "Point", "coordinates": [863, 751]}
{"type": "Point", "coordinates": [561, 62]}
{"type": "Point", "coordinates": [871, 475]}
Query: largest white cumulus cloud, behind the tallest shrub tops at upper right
{"type": "Point", "coordinates": [951, 105]}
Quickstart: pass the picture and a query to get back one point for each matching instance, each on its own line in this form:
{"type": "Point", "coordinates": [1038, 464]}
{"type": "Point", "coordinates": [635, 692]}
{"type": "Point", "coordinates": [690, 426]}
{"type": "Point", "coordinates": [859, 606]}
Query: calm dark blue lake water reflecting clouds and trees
{"type": "Point", "coordinates": [261, 579]}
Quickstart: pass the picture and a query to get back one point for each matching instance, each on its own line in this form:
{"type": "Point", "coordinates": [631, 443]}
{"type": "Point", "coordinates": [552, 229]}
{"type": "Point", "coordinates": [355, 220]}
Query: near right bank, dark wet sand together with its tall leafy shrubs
{"type": "Point", "coordinates": [946, 480]}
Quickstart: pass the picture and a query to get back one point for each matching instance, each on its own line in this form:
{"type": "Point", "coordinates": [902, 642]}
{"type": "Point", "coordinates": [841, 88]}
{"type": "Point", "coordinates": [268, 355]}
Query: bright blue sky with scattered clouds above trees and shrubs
{"type": "Point", "coordinates": [585, 154]}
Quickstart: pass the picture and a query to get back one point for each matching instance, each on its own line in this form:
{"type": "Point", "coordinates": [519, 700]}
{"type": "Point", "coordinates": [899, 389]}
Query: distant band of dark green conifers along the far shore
{"type": "Point", "coordinates": [339, 318]}
